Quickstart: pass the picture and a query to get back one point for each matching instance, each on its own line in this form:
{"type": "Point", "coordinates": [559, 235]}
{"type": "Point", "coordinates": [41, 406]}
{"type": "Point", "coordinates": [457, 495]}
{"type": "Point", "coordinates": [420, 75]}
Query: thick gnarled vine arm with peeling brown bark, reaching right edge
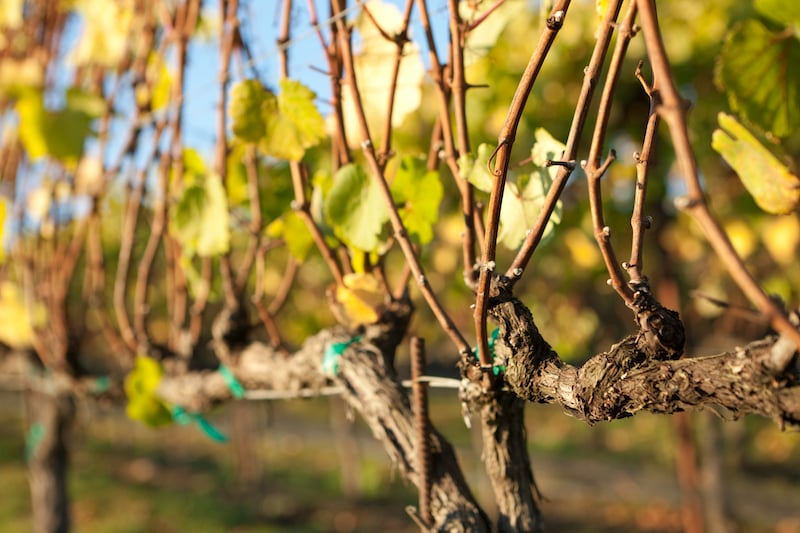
{"type": "Point", "coordinates": [624, 380]}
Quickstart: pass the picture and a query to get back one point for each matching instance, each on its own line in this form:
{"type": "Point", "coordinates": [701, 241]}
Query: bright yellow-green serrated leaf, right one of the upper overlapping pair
{"type": "Point", "coordinates": [293, 123]}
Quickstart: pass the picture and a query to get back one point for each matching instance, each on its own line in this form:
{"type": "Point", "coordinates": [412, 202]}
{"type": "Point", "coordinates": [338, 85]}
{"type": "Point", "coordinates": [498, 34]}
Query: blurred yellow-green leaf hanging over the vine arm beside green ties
{"type": "Point", "coordinates": [140, 388]}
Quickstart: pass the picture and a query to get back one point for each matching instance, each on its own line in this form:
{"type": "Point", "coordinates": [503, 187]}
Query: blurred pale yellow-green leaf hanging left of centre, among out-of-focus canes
{"type": "Point", "coordinates": [200, 221]}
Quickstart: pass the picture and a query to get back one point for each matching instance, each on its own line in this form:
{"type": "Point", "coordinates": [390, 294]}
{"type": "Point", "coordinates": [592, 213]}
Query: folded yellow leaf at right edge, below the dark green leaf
{"type": "Point", "coordinates": [774, 188]}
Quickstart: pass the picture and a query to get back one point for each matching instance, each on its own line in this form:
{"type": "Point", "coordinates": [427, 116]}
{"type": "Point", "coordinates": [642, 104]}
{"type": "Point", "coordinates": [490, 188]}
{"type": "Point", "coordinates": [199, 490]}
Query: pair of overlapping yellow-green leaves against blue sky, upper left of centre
{"type": "Point", "coordinates": [284, 126]}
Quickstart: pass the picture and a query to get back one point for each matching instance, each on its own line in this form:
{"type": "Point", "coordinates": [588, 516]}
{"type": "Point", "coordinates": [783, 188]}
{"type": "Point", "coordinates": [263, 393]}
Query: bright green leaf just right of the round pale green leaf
{"type": "Point", "coordinates": [418, 194]}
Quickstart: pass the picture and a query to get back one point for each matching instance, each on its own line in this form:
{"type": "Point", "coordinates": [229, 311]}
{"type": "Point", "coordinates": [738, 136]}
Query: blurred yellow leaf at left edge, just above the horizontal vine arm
{"type": "Point", "coordinates": [18, 318]}
